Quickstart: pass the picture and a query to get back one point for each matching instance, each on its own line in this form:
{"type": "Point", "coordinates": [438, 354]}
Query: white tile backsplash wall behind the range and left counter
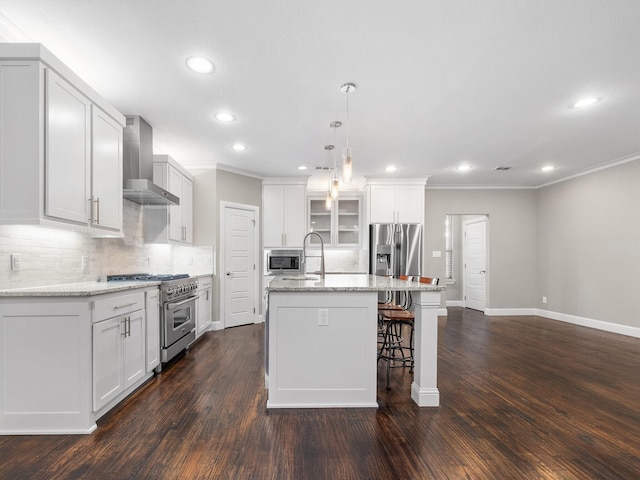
{"type": "Point", "coordinates": [52, 256]}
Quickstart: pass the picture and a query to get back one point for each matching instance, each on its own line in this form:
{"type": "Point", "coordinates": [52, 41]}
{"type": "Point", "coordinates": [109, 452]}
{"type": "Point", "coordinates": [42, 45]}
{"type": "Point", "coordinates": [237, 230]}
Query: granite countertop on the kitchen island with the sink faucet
{"type": "Point", "coordinates": [346, 283]}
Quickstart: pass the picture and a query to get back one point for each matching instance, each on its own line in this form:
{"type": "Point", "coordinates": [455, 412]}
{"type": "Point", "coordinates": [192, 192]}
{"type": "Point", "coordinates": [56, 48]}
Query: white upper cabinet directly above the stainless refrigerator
{"type": "Point", "coordinates": [396, 203]}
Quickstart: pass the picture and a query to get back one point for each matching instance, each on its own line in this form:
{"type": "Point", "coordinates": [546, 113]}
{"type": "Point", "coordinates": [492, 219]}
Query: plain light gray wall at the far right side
{"type": "Point", "coordinates": [588, 243]}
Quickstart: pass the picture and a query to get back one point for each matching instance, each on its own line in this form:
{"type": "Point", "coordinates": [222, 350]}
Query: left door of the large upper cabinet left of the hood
{"type": "Point", "coordinates": [68, 134]}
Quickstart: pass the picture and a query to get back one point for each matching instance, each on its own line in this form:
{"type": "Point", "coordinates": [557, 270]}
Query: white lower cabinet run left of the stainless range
{"type": "Point", "coordinates": [67, 360]}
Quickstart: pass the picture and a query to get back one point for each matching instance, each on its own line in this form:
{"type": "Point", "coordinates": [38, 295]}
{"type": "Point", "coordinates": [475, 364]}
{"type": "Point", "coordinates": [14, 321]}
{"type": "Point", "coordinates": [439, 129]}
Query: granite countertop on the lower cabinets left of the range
{"type": "Point", "coordinates": [84, 289]}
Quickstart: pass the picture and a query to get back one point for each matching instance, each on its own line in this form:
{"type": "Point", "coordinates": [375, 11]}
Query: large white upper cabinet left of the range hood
{"type": "Point", "coordinates": [60, 146]}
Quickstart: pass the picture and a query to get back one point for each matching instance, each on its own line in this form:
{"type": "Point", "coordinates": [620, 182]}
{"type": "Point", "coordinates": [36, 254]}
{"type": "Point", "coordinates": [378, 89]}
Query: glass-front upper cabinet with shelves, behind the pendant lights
{"type": "Point", "coordinates": [339, 226]}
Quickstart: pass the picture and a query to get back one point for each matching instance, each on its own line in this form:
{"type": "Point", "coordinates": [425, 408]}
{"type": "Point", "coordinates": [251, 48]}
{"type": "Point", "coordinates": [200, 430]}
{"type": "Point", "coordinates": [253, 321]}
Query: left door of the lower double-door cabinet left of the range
{"type": "Point", "coordinates": [108, 381]}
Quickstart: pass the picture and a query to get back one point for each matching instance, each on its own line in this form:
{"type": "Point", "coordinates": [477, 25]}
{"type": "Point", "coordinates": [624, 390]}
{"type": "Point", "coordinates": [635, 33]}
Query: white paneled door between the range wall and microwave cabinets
{"type": "Point", "coordinates": [239, 266]}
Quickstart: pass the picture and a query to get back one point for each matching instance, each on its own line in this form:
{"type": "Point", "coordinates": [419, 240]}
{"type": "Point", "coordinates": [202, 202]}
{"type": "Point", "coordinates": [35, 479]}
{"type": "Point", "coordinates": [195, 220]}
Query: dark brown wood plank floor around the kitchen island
{"type": "Point", "coordinates": [521, 398]}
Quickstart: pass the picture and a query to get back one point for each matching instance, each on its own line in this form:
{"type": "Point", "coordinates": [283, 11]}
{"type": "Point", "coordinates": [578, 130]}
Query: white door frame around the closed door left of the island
{"type": "Point", "coordinates": [221, 259]}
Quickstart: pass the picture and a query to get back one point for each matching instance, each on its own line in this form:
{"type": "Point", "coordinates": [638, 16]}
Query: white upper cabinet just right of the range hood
{"type": "Point", "coordinates": [172, 224]}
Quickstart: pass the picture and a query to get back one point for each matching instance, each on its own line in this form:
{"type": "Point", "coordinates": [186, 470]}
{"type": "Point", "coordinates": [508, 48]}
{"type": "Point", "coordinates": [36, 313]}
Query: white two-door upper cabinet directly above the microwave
{"type": "Point", "coordinates": [283, 208]}
